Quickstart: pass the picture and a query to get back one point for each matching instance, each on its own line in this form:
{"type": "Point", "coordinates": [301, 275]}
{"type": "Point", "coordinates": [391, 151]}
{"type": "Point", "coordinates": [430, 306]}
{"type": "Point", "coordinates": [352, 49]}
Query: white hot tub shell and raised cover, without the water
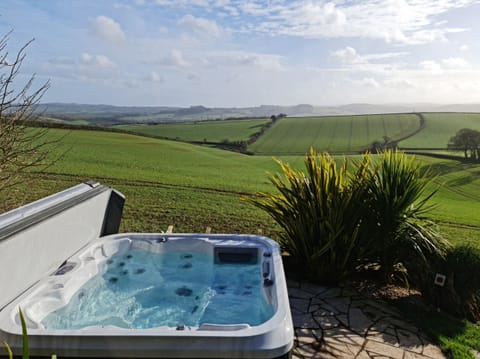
{"type": "Point", "coordinates": [40, 293]}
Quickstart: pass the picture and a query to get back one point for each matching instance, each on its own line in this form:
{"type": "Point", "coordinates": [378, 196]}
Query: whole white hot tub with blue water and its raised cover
{"type": "Point", "coordinates": [136, 295]}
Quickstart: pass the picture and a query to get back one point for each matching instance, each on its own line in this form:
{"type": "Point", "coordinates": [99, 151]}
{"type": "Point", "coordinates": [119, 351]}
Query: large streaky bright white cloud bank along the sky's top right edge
{"type": "Point", "coordinates": [394, 21]}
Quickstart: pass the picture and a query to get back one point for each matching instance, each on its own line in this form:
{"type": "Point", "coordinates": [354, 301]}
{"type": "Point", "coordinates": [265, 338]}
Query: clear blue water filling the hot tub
{"type": "Point", "coordinates": [141, 289]}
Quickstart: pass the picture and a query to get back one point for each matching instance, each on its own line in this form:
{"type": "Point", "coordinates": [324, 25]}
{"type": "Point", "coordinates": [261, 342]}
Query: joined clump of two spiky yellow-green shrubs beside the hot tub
{"type": "Point", "coordinates": [336, 220]}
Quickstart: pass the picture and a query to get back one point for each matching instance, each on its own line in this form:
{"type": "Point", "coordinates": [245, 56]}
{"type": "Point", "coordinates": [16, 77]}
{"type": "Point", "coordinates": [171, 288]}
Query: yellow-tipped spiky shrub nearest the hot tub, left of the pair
{"type": "Point", "coordinates": [319, 215]}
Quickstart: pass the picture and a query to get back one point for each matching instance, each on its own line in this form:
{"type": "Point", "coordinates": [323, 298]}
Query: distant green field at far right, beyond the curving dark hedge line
{"type": "Point", "coordinates": [439, 127]}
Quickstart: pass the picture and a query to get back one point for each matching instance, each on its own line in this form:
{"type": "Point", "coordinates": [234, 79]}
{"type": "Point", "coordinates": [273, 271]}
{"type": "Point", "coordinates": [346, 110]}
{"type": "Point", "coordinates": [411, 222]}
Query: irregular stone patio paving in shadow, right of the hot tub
{"type": "Point", "coordinates": [341, 323]}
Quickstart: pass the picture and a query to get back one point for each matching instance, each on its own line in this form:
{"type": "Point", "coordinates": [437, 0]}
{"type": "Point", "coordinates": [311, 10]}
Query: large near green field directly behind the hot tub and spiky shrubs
{"type": "Point", "coordinates": [170, 182]}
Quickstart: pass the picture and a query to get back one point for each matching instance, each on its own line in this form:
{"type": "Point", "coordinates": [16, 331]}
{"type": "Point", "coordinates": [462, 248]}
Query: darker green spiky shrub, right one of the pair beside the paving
{"type": "Point", "coordinates": [395, 231]}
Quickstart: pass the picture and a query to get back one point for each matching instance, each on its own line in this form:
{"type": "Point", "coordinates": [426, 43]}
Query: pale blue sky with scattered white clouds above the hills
{"type": "Point", "coordinates": [227, 53]}
